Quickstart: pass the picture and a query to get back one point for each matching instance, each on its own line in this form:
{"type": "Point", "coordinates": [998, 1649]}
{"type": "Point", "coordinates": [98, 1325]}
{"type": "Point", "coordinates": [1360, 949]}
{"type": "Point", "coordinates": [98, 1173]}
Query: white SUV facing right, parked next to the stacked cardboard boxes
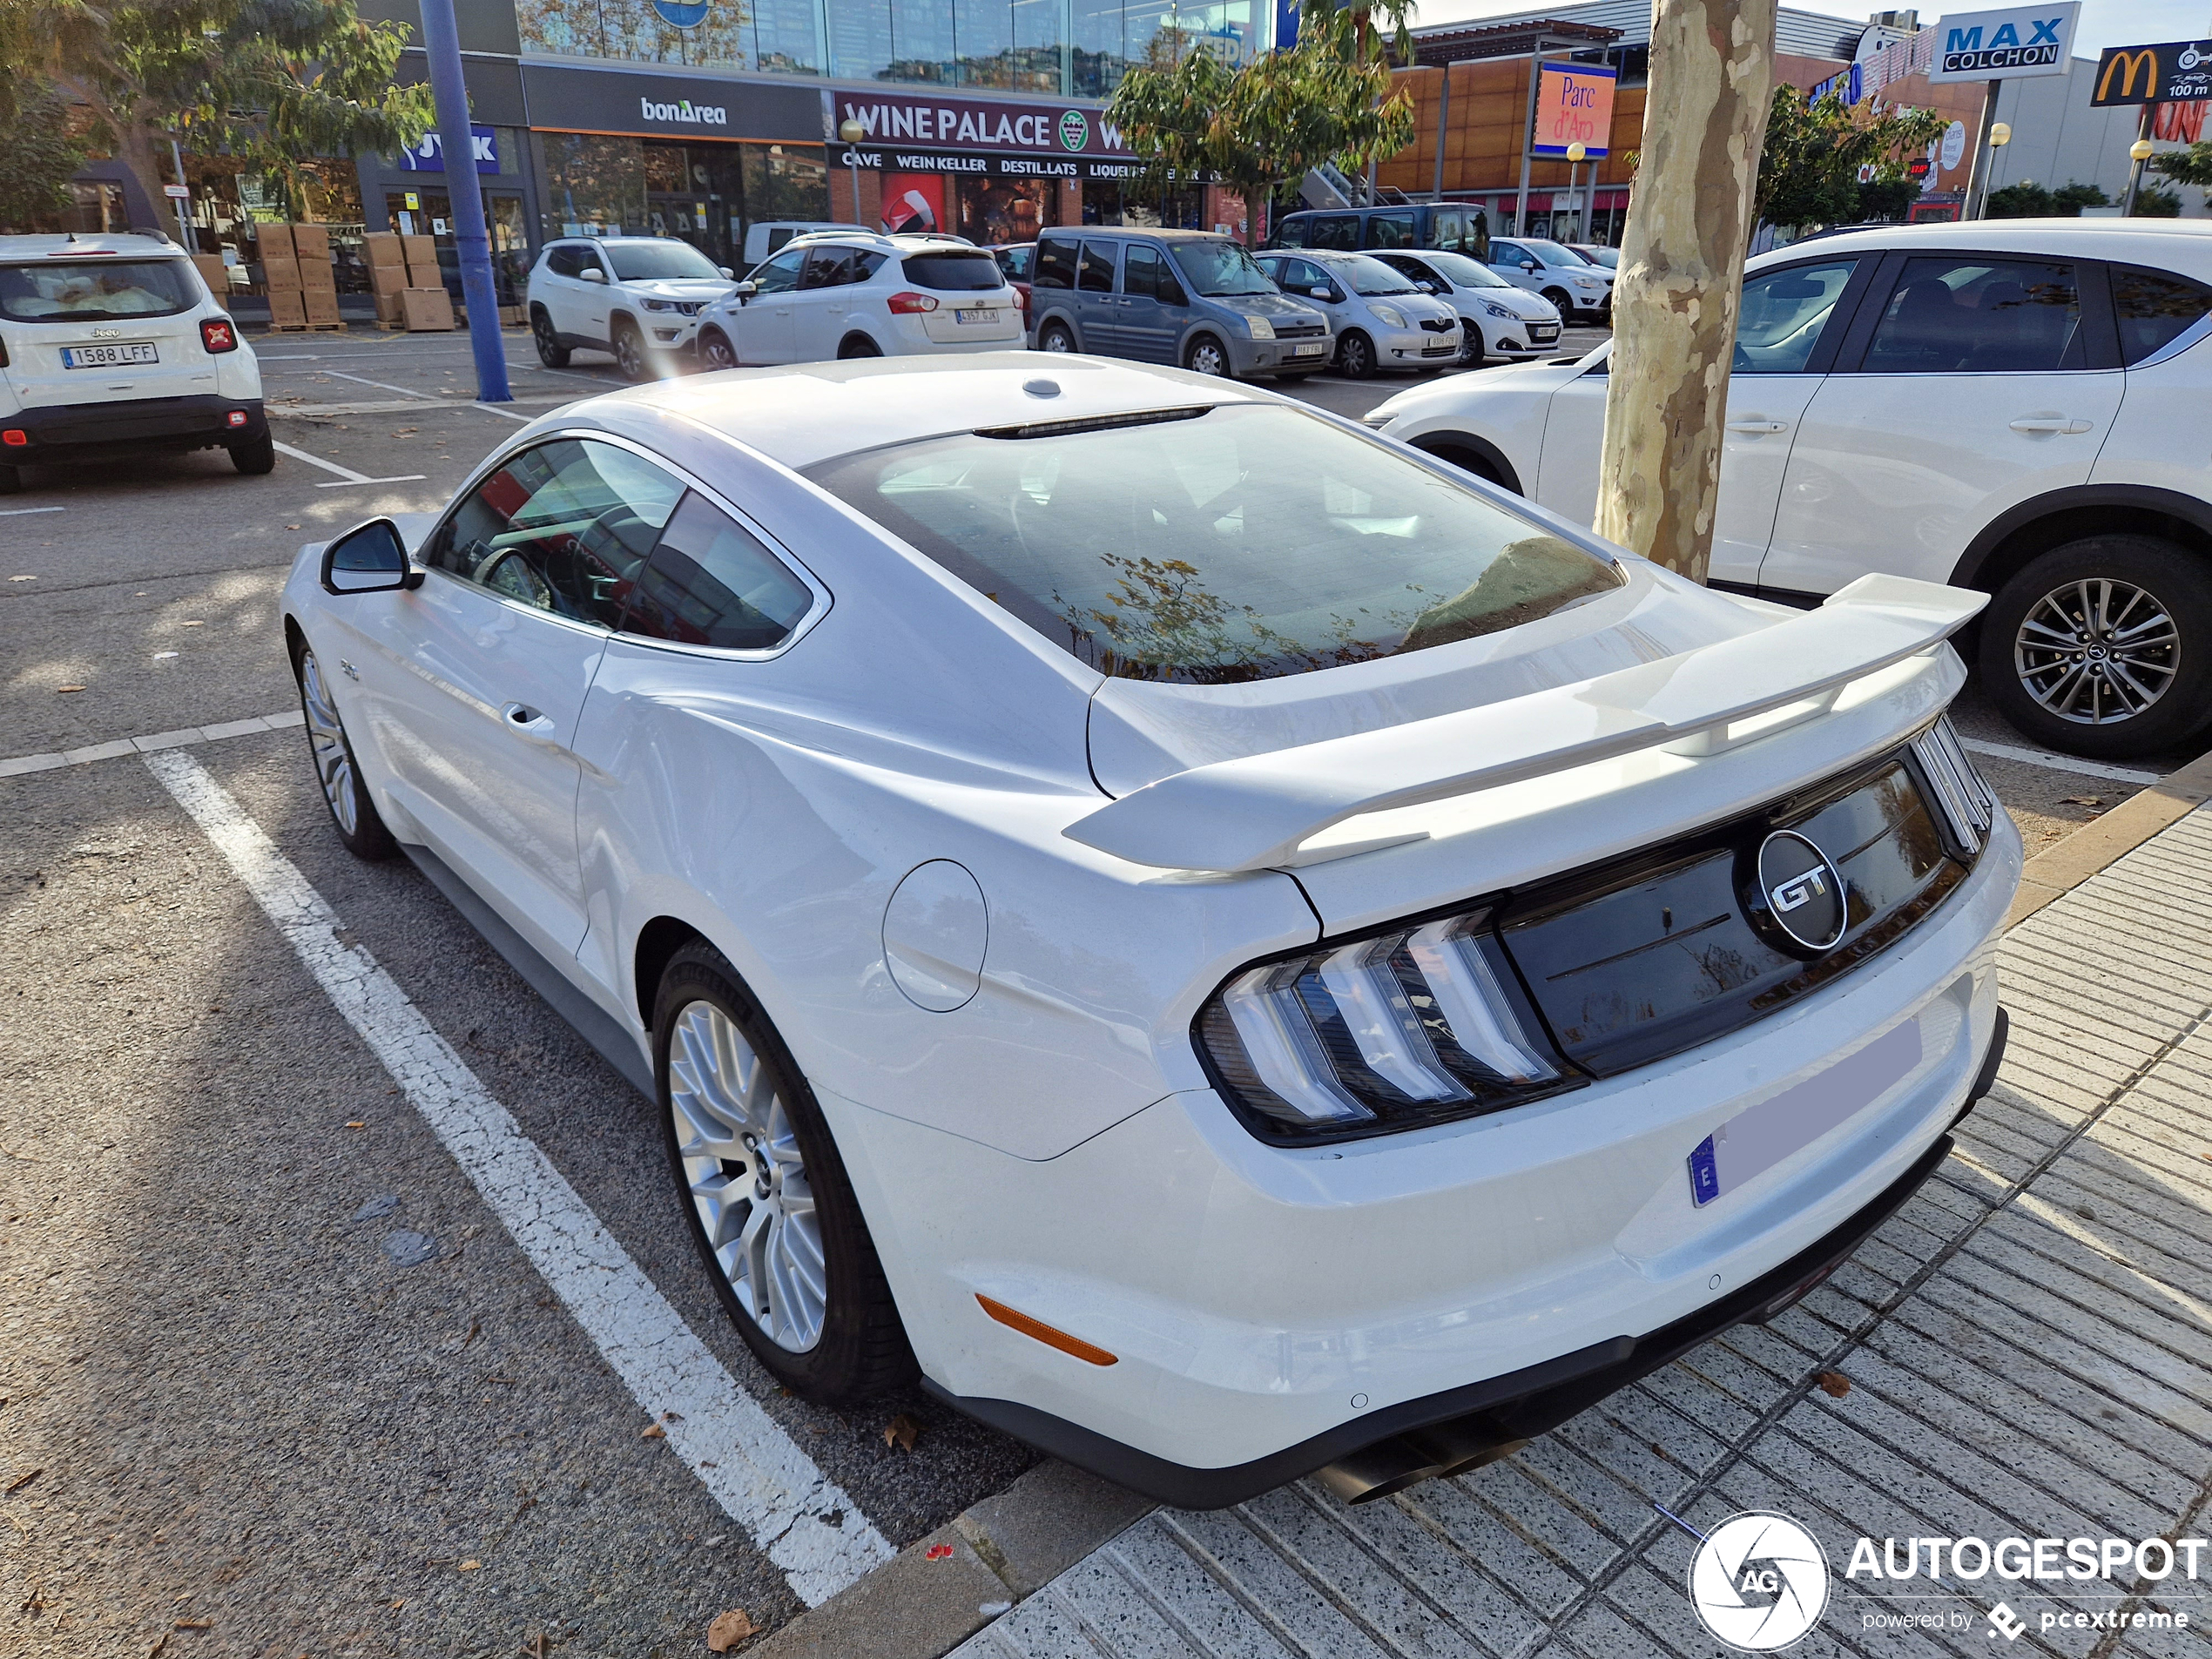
{"type": "Point", "coordinates": [638, 298]}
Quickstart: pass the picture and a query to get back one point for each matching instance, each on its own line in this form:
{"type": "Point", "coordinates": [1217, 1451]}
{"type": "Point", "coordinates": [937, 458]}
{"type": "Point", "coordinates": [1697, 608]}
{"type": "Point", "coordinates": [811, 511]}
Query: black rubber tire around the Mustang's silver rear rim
{"type": "Point", "coordinates": [862, 1348]}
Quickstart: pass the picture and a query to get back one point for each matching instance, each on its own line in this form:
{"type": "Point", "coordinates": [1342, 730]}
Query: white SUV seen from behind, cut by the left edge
{"type": "Point", "coordinates": [114, 348]}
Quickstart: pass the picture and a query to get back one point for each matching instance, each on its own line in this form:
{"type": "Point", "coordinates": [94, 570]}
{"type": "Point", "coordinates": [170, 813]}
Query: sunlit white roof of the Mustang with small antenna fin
{"type": "Point", "coordinates": [813, 413]}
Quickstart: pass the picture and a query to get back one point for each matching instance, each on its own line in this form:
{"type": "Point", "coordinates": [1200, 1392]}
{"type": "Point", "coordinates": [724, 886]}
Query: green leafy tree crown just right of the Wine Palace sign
{"type": "Point", "coordinates": [1266, 125]}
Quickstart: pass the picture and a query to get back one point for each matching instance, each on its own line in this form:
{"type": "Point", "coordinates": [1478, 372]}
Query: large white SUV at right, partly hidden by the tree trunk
{"type": "Point", "coordinates": [2012, 406]}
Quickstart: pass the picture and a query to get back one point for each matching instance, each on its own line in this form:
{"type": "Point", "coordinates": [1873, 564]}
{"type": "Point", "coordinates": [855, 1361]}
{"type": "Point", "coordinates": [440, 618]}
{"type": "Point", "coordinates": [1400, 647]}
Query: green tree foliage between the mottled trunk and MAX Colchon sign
{"type": "Point", "coordinates": [1808, 171]}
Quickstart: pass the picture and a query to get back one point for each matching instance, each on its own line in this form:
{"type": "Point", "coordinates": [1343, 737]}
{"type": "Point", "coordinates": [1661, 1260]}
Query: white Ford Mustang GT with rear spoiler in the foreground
{"type": "Point", "coordinates": [1209, 937]}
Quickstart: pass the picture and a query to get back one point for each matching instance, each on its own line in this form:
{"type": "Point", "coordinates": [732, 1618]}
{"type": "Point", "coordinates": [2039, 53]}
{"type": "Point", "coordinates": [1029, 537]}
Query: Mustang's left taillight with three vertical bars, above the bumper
{"type": "Point", "coordinates": [1384, 1032]}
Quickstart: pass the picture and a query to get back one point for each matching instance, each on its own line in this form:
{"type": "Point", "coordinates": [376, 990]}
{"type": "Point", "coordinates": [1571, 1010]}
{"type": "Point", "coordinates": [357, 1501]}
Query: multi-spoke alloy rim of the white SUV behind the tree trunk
{"type": "Point", "coordinates": [2098, 651]}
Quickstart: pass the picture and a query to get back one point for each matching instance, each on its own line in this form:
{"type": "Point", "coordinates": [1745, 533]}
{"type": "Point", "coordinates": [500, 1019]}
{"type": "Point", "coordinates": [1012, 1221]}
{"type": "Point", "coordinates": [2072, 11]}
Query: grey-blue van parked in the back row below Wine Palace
{"type": "Point", "coordinates": [1187, 298]}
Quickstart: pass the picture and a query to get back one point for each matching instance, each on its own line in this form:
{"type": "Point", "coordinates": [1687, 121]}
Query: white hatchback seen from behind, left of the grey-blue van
{"type": "Point", "coordinates": [842, 295]}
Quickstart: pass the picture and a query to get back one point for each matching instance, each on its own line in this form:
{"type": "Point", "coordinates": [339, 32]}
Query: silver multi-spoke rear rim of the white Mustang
{"type": "Point", "coordinates": [747, 1176]}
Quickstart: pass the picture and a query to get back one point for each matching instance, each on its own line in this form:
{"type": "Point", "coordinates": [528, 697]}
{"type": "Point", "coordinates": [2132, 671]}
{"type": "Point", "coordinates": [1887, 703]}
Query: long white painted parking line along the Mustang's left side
{"type": "Point", "coordinates": [800, 1519]}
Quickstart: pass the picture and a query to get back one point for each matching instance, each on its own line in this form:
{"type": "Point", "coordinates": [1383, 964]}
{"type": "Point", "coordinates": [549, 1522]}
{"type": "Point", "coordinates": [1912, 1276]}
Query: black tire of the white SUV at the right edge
{"type": "Point", "coordinates": [2056, 592]}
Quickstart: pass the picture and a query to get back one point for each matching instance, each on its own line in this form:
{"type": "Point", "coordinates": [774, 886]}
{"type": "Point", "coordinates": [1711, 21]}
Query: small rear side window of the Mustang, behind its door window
{"type": "Point", "coordinates": [711, 583]}
